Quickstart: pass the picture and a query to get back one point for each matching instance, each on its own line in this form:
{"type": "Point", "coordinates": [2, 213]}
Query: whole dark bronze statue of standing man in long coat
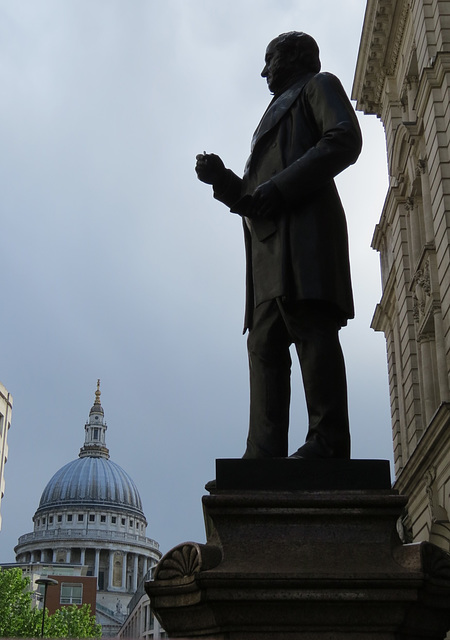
{"type": "Point", "coordinates": [298, 276]}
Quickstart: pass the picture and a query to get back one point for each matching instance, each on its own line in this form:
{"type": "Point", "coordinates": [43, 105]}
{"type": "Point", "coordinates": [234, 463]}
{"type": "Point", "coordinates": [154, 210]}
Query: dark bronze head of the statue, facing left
{"type": "Point", "coordinates": [288, 56]}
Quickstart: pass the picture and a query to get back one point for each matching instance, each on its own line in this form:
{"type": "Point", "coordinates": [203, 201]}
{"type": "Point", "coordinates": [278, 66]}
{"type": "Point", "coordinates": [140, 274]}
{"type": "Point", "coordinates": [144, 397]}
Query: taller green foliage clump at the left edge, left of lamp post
{"type": "Point", "coordinates": [18, 617]}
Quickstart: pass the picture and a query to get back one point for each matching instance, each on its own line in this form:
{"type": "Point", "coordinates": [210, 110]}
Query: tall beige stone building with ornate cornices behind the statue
{"type": "Point", "coordinates": [403, 77]}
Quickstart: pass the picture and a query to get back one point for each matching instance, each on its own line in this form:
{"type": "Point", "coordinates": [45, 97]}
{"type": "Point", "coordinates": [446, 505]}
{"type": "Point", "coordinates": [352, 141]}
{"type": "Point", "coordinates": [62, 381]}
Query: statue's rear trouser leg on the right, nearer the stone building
{"type": "Point", "coordinates": [315, 333]}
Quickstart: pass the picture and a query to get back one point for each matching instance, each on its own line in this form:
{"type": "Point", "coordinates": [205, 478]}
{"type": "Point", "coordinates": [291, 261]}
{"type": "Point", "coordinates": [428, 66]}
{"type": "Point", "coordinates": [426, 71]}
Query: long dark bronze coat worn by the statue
{"type": "Point", "coordinates": [306, 137]}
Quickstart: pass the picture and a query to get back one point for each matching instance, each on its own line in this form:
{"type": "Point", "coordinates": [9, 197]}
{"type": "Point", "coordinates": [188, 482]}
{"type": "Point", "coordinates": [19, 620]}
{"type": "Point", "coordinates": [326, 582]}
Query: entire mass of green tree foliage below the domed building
{"type": "Point", "coordinates": [19, 619]}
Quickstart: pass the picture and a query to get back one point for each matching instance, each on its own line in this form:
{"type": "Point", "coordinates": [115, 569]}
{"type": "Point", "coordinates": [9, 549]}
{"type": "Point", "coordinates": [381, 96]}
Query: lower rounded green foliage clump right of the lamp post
{"type": "Point", "coordinates": [72, 622]}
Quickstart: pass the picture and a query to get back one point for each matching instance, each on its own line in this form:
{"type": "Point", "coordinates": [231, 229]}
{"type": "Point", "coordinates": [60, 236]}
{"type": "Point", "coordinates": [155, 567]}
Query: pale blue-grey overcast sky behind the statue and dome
{"type": "Point", "coordinates": [116, 262]}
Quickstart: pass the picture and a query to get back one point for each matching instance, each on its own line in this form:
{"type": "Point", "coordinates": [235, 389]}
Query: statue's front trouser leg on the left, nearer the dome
{"type": "Point", "coordinates": [270, 371]}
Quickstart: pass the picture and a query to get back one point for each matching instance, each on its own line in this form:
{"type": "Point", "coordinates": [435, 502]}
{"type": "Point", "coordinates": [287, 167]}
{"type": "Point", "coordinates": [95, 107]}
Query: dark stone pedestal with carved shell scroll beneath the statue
{"type": "Point", "coordinates": [302, 562]}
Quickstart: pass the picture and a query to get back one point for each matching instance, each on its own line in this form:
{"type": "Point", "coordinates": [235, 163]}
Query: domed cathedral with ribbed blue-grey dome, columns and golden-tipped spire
{"type": "Point", "coordinates": [90, 521]}
